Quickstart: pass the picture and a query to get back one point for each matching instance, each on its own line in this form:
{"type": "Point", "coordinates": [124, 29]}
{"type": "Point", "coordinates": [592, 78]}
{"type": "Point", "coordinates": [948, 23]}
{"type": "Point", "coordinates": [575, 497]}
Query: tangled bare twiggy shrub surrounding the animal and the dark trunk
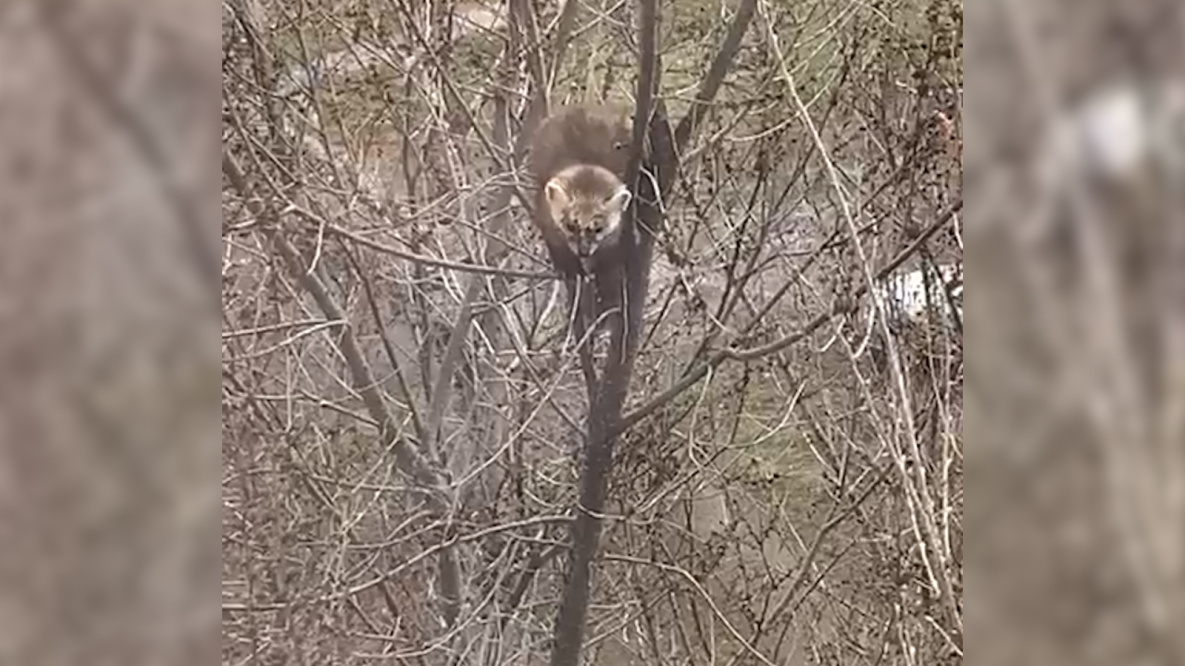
{"type": "Point", "coordinates": [405, 421]}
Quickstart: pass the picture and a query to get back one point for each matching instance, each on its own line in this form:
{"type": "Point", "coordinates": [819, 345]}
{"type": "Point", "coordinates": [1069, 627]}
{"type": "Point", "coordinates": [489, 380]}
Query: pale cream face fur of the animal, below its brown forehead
{"type": "Point", "coordinates": [587, 219]}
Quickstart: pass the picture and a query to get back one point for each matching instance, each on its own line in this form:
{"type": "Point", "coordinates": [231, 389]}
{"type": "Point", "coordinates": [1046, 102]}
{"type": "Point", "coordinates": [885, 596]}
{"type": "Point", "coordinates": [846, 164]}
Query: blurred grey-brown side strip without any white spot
{"type": "Point", "coordinates": [110, 497]}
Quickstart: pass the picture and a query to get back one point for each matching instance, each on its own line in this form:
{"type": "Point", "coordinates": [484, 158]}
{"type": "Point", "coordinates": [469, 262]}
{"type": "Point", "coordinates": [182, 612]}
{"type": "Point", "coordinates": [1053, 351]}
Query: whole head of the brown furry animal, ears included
{"type": "Point", "coordinates": [587, 203]}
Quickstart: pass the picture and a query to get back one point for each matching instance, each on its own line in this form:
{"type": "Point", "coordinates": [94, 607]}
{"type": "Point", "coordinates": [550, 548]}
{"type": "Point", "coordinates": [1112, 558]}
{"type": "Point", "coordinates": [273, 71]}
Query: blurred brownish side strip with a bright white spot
{"type": "Point", "coordinates": [1077, 138]}
